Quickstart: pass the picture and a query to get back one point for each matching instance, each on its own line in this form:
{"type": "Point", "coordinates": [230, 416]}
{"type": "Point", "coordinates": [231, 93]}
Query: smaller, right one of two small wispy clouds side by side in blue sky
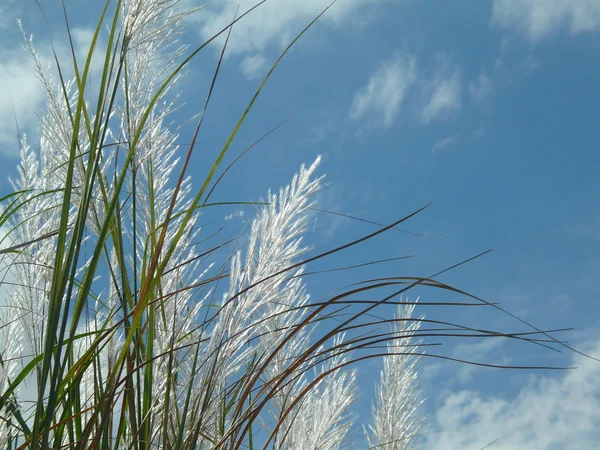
{"type": "Point", "coordinates": [444, 90]}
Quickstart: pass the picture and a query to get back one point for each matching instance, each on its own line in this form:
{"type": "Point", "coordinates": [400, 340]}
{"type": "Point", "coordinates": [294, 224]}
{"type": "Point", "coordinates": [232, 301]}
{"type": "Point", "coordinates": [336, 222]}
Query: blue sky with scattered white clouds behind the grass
{"type": "Point", "coordinates": [487, 109]}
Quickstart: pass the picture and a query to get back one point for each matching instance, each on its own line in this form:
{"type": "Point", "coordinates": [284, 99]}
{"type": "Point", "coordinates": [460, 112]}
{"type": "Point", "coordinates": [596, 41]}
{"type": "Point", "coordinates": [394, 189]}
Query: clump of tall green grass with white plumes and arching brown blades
{"type": "Point", "coordinates": [122, 327]}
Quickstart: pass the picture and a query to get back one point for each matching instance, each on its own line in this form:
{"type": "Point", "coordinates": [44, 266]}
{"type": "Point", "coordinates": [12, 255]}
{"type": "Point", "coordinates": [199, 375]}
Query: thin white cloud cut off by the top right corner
{"type": "Point", "coordinates": [538, 19]}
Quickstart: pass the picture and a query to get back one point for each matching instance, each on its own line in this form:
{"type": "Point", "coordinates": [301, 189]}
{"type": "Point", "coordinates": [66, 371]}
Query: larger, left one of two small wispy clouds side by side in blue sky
{"type": "Point", "coordinates": [380, 100]}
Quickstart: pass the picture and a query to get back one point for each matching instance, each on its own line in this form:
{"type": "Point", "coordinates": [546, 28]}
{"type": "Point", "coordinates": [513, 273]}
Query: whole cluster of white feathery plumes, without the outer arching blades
{"type": "Point", "coordinates": [204, 353]}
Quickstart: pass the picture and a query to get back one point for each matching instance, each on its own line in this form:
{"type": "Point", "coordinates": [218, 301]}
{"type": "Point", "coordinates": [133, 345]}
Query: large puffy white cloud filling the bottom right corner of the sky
{"type": "Point", "coordinates": [550, 412]}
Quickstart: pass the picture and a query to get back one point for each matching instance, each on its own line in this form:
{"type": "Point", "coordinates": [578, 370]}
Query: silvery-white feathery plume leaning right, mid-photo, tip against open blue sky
{"type": "Point", "coordinates": [274, 244]}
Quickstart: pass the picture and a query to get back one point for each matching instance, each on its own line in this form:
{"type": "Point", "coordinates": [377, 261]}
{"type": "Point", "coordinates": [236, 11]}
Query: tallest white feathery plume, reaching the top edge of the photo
{"type": "Point", "coordinates": [152, 26]}
